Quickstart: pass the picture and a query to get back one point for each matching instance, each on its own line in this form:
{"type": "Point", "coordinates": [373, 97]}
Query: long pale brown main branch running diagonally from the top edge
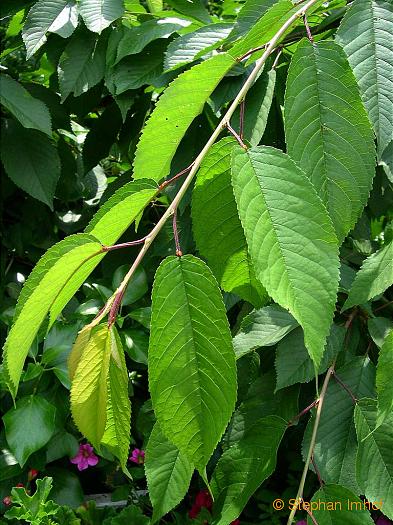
{"type": "Point", "coordinates": [198, 161]}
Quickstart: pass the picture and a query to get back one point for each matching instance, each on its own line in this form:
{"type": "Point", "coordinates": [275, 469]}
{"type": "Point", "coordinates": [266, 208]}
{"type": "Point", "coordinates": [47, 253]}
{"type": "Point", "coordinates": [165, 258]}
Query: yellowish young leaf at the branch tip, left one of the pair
{"type": "Point", "coordinates": [89, 390]}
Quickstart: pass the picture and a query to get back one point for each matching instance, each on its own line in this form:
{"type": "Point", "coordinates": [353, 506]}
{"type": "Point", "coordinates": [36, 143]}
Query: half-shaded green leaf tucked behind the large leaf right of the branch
{"type": "Point", "coordinates": [218, 231]}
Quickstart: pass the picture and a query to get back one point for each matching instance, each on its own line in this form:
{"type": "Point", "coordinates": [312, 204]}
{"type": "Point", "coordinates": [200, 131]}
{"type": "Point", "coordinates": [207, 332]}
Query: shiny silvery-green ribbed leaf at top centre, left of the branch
{"type": "Point", "coordinates": [192, 46]}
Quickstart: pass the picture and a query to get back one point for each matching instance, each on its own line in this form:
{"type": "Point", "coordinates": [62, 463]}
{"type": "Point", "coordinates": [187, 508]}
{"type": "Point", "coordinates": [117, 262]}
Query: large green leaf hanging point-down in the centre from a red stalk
{"type": "Point", "coordinates": [192, 370]}
